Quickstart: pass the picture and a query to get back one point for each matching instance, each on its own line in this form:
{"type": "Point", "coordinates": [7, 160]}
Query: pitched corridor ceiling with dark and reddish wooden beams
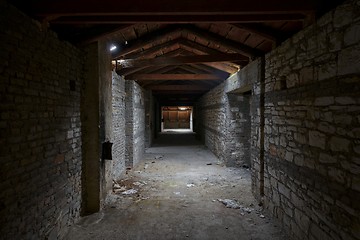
{"type": "Point", "coordinates": [179, 49]}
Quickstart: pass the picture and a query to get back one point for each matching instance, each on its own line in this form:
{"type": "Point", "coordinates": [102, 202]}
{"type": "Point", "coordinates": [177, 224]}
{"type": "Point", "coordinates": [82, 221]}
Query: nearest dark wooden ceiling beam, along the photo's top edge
{"type": "Point", "coordinates": [157, 7]}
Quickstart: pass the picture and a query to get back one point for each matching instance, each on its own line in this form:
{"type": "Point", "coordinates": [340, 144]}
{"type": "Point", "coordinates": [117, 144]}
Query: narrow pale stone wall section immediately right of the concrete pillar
{"type": "Point", "coordinates": [118, 103]}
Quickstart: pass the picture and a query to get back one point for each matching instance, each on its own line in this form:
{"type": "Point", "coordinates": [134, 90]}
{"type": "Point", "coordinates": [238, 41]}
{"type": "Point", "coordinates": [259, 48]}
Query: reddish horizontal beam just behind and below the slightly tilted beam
{"type": "Point", "coordinates": [172, 77]}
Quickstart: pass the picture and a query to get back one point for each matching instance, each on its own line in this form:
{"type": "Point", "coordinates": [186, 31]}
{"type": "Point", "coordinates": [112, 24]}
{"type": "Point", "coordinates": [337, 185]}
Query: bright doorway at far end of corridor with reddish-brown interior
{"type": "Point", "coordinates": [176, 118]}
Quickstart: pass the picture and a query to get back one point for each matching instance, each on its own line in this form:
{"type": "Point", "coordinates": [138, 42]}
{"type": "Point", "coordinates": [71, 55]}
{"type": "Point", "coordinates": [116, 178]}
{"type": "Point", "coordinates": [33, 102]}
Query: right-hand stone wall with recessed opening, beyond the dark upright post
{"type": "Point", "coordinates": [223, 117]}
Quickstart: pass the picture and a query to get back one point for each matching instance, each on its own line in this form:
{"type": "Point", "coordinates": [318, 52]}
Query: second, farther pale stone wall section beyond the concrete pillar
{"type": "Point", "coordinates": [135, 123]}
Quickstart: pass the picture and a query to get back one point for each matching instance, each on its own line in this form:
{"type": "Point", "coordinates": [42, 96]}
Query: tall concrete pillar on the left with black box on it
{"type": "Point", "coordinates": [96, 117]}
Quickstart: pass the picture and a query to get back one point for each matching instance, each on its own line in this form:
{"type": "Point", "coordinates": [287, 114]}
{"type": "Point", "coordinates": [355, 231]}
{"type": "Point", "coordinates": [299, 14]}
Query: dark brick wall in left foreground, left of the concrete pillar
{"type": "Point", "coordinates": [40, 130]}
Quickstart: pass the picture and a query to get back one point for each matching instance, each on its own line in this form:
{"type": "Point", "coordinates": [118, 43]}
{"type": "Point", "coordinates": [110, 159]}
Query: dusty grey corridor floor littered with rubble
{"type": "Point", "coordinates": [178, 187]}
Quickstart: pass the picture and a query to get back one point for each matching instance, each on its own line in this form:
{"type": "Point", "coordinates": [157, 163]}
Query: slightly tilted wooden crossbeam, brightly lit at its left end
{"type": "Point", "coordinates": [129, 63]}
